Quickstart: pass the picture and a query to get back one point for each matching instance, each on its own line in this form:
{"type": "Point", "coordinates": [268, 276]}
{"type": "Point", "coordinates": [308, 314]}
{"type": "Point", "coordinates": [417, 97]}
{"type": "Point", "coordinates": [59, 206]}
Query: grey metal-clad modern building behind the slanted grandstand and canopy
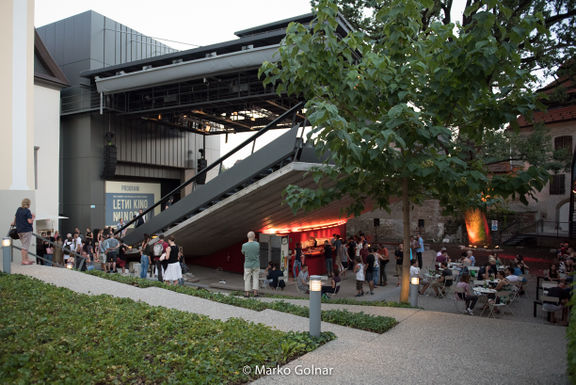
{"type": "Point", "coordinates": [107, 157]}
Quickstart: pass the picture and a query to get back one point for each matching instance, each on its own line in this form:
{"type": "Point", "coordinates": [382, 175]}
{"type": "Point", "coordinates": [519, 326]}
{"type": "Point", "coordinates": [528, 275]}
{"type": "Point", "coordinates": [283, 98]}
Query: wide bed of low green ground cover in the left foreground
{"type": "Point", "coordinates": [53, 335]}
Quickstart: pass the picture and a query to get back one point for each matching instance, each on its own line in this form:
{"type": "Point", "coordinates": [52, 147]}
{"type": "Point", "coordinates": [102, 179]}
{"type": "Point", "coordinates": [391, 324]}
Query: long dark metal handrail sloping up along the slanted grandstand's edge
{"type": "Point", "coordinates": [218, 162]}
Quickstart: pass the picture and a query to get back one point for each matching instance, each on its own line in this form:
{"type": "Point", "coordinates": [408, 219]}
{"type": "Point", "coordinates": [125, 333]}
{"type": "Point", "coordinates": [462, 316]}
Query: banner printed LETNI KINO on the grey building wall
{"type": "Point", "coordinates": [124, 199]}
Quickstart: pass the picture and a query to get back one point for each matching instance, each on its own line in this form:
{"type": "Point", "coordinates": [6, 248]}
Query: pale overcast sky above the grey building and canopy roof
{"type": "Point", "coordinates": [188, 21]}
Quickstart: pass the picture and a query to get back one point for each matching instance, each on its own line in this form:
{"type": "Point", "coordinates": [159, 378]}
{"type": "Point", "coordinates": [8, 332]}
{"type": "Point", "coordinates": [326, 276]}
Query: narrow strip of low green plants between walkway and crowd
{"type": "Point", "coordinates": [368, 322]}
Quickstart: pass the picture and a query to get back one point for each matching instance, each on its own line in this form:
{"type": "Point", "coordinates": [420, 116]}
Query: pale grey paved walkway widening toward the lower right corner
{"type": "Point", "coordinates": [427, 347]}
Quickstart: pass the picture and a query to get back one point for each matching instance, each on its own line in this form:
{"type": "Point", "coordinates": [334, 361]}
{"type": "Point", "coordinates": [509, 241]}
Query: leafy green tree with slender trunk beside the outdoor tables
{"type": "Point", "coordinates": [403, 110]}
